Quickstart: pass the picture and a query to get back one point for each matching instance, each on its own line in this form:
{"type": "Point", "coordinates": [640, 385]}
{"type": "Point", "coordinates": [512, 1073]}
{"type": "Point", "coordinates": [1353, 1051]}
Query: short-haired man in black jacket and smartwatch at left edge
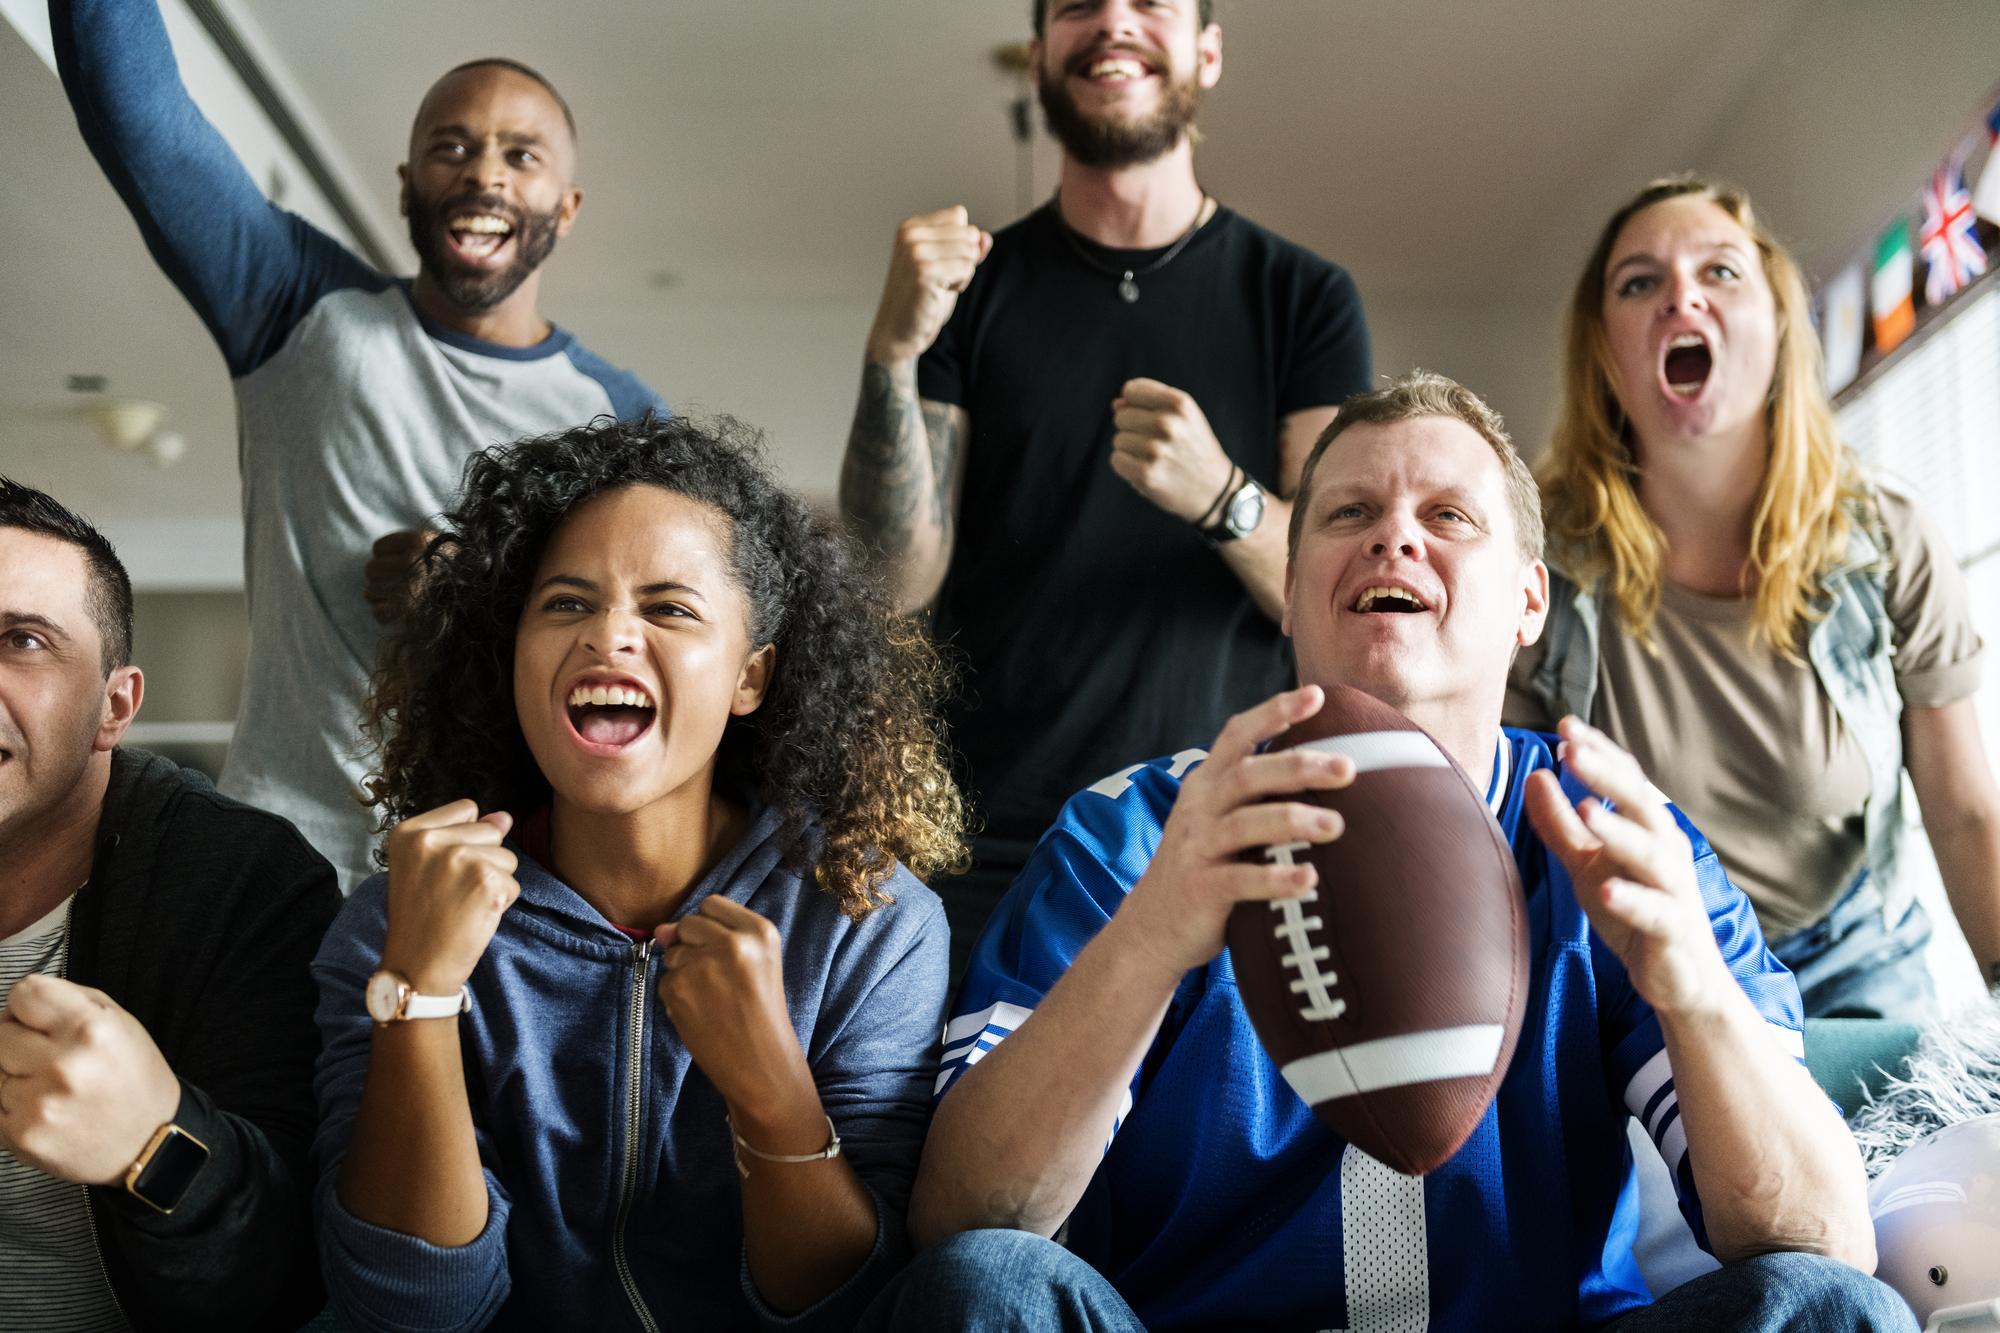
{"type": "Point", "coordinates": [157, 1040]}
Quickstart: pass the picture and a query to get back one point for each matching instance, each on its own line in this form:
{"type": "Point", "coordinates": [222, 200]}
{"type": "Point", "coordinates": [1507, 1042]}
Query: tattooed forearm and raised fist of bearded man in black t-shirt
{"type": "Point", "coordinates": [901, 477]}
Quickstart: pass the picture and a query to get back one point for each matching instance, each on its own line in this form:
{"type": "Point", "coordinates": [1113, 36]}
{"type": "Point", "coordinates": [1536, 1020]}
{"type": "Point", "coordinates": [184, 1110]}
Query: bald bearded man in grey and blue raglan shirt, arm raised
{"type": "Point", "coordinates": [359, 397]}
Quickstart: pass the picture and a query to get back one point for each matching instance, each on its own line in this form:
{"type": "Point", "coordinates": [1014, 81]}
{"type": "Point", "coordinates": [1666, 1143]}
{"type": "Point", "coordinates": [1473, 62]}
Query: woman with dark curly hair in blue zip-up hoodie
{"type": "Point", "coordinates": [645, 730]}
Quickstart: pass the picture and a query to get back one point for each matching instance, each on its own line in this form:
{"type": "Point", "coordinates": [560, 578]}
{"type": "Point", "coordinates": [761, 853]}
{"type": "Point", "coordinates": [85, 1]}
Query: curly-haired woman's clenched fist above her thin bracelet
{"type": "Point", "coordinates": [723, 986]}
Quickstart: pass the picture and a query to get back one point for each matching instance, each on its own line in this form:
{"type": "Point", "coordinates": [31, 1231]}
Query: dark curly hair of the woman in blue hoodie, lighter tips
{"type": "Point", "coordinates": [845, 740]}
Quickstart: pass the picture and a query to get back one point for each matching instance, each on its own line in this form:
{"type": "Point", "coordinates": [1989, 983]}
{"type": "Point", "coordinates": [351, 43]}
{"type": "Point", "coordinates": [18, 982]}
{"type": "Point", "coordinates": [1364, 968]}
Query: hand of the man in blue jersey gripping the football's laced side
{"type": "Point", "coordinates": [1181, 906]}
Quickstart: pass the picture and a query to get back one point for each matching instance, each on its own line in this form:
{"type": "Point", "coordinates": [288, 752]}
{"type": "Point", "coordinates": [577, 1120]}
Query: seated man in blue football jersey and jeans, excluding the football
{"type": "Point", "coordinates": [1103, 1080]}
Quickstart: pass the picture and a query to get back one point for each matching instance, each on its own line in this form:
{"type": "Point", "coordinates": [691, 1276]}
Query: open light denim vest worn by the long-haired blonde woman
{"type": "Point", "coordinates": [1851, 651]}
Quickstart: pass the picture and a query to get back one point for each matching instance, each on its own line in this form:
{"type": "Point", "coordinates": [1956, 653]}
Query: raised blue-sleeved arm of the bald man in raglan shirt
{"type": "Point", "coordinates": [249, 269]}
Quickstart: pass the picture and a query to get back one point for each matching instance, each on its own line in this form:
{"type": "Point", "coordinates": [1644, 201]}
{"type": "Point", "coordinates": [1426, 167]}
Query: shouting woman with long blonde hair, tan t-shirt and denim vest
{"type": "Point", "coordinates": [1771, 633]}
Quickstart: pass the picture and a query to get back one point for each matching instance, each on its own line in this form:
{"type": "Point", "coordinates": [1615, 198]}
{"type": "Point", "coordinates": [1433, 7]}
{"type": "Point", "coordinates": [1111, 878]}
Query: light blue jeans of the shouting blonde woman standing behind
{"type": "Point", "coordinates": [1851, 966]}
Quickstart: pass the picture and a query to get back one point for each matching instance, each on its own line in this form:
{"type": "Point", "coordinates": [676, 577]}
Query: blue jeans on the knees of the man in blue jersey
{"type": "Point", "coordinates": [1013, 1282]}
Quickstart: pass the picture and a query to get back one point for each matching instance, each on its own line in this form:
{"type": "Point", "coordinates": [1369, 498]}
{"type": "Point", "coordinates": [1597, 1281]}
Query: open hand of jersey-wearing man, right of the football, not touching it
{"type": "Point", "coordinates": [1633, 872]}
